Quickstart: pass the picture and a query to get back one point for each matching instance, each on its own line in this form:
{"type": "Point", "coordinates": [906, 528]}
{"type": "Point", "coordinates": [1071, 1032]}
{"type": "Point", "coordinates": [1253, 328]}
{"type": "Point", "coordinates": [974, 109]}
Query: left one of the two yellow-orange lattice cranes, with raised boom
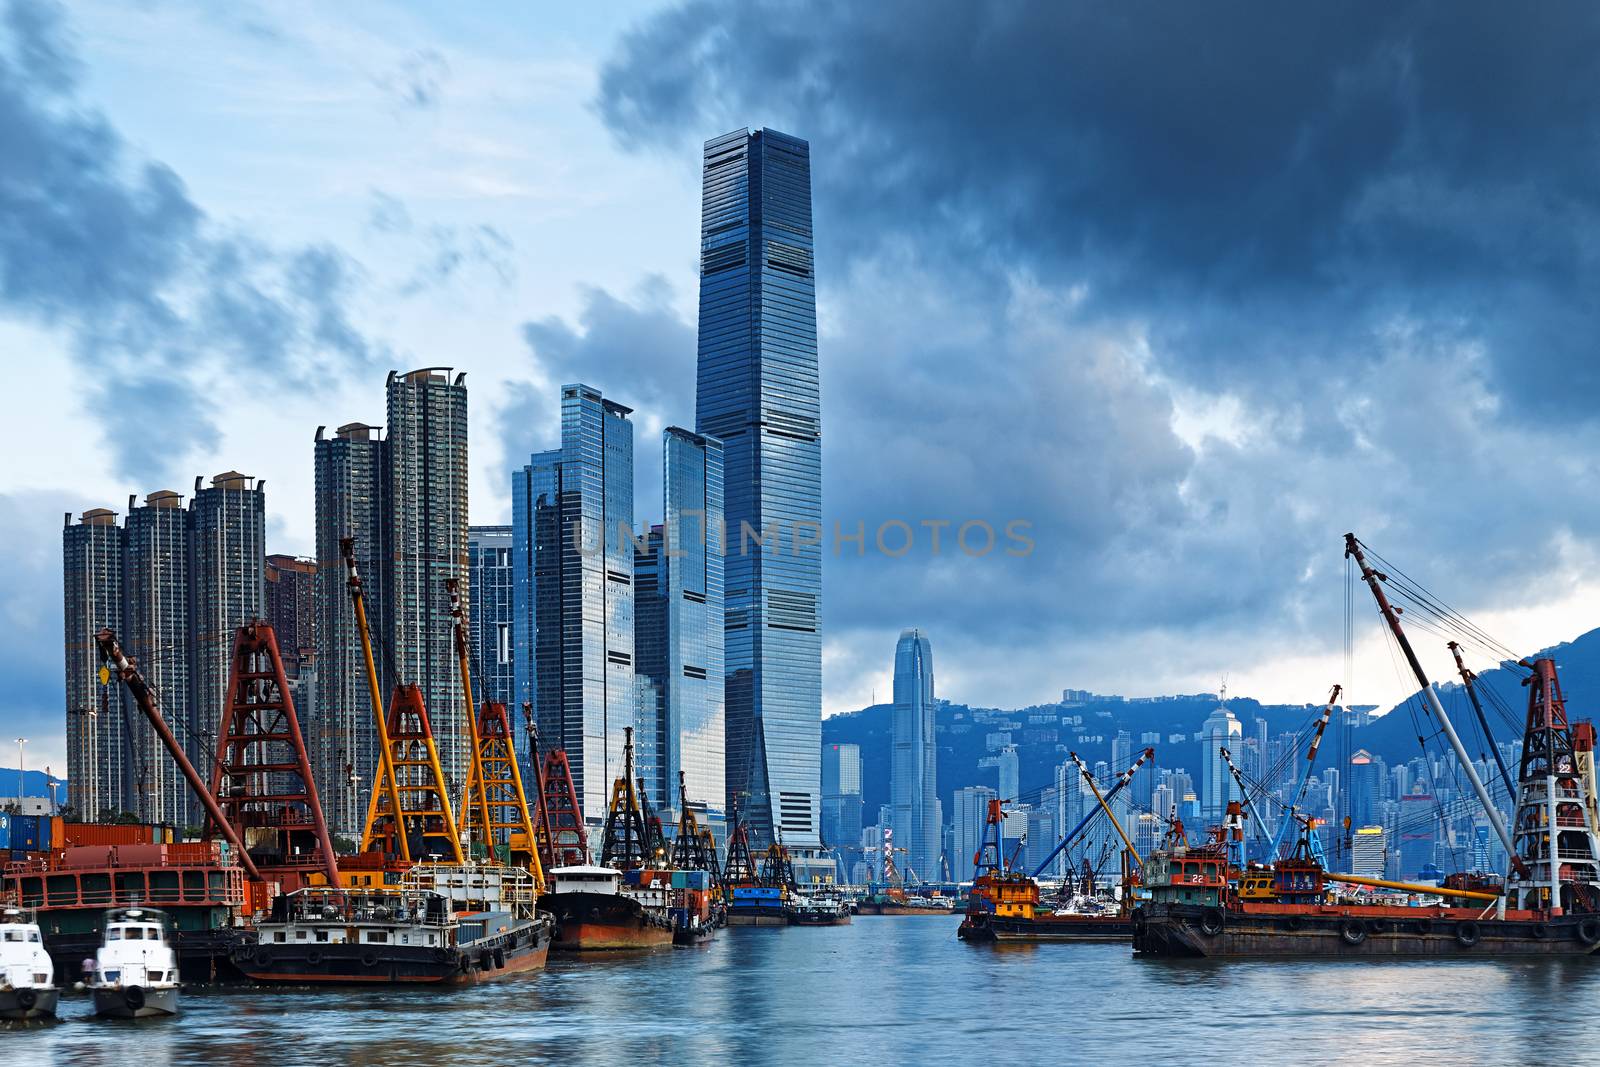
{"type": "Point", "coordinates": [418, 802]}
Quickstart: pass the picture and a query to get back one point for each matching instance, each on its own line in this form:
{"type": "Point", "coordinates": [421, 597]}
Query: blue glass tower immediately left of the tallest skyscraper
{"type": "Point", "coordinates": [679, 639]}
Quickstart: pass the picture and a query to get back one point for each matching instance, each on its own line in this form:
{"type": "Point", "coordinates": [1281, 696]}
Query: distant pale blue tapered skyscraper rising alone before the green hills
{"type": "Point", "coordinates": [914, 788]}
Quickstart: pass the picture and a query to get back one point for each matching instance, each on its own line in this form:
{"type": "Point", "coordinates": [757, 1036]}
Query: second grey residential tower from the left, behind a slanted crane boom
{"type": "Point", "coordinates": [156, 633]}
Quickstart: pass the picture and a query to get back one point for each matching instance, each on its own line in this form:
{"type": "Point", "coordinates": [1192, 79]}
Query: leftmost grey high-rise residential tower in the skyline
{"type": "Point", "coordinates": [97, 733]}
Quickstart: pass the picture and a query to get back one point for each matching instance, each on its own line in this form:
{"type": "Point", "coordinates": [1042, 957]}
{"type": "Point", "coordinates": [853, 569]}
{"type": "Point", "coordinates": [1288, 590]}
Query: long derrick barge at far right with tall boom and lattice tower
{"type": "Point", "coordinates": [1204, 906]}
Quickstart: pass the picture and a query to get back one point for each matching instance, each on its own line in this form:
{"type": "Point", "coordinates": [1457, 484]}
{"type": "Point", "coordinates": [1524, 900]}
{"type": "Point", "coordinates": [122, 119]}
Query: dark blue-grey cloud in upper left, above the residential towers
{"type": "Point", "coordinates": [161, 303]}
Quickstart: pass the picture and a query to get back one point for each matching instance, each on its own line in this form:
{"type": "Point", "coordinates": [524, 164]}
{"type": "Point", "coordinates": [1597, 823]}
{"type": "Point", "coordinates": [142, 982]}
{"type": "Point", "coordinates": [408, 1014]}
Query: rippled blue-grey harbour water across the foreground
{"type": "Point", "coordinates": [881, 991]}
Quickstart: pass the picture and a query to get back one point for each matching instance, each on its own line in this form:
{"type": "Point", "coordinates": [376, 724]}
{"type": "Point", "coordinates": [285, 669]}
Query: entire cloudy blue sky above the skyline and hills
{"type": "Point", "coordinates": [1186, 292]}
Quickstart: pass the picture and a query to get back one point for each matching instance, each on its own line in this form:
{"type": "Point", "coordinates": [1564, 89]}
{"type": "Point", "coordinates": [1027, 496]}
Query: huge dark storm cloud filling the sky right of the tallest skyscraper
{"type": "Point", "coordinates": [1193, 287]}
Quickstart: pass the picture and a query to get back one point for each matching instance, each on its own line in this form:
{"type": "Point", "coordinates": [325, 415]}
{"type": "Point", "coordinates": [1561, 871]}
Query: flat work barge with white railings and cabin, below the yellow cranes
{"type": "Point", "coordinates": [444, 925]}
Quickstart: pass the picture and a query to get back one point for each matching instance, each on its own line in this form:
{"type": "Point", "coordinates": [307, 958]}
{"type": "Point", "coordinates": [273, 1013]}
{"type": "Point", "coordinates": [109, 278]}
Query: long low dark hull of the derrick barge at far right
{"type": "Point", "coordinates": [1186, 930]}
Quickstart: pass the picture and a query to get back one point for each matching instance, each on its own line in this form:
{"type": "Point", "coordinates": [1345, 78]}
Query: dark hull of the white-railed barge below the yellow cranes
{"type": "Point", "coordinates": [516, 951]}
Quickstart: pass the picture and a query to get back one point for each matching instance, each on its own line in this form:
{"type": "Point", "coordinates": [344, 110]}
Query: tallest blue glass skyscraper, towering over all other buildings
{"type": "Point", "coordinates": [758, 393]}
